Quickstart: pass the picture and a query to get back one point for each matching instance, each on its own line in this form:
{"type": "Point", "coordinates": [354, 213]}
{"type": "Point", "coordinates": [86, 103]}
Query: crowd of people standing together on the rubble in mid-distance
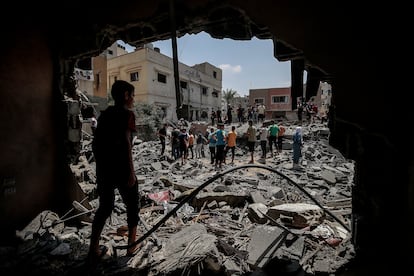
{"type": "Point", "coordinates": [220, 142]}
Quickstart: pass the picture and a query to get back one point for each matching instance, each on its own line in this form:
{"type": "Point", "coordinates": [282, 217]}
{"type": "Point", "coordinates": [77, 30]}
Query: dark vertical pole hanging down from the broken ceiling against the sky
{"type": "Point", "coordinates": [175, 59]}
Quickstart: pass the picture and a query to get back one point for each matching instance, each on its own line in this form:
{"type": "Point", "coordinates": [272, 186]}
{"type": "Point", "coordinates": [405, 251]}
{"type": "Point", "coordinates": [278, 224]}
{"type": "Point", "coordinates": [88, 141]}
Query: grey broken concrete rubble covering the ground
{"type": "Point", "coordinates": [249, 220]}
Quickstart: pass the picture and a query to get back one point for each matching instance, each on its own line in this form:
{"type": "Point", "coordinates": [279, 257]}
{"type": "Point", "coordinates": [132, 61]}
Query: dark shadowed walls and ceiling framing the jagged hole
{"type": "Point", "coordinates": [333, 42]}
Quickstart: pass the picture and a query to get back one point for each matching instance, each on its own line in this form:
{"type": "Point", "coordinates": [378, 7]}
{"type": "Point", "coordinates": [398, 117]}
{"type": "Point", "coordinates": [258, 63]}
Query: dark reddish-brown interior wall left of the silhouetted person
{"type": "Point", "coordinates": [28, 134]}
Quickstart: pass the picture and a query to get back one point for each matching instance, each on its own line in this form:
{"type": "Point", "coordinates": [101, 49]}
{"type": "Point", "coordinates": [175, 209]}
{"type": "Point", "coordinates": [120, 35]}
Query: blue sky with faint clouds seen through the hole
{"type": "Point", "coordinates": [246, 64]}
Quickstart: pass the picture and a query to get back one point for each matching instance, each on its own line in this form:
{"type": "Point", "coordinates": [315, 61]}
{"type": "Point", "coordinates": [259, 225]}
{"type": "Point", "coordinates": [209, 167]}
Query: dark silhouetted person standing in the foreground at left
{"type": "Point", "coordinates": [112, 147]}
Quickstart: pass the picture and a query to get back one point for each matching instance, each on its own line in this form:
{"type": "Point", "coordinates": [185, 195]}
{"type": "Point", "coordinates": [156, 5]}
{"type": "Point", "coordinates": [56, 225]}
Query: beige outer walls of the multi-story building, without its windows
{"type": "Point", "coordinates": [148, 63]}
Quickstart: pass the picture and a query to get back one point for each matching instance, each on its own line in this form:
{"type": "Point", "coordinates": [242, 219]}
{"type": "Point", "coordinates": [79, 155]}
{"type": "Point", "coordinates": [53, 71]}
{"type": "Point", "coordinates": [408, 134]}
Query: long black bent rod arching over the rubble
{"type": "Point", "coordinates": [211, 180]}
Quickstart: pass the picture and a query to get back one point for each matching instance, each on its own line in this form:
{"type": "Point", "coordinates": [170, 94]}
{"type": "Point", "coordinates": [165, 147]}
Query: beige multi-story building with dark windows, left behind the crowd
{"type": "Point", "coordinates": [152, 75]}
